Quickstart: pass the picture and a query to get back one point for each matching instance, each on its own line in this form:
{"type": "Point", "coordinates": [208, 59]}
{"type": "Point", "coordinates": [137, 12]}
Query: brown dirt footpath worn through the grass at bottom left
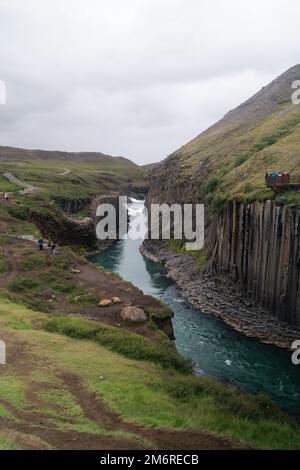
{"type": "Point", "coordinates": [42, 433]}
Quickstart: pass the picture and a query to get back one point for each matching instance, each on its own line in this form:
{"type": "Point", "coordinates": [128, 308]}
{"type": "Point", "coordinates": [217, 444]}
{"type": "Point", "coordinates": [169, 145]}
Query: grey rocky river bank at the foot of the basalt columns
{"type": "Point", "coordinates": [220, 298]}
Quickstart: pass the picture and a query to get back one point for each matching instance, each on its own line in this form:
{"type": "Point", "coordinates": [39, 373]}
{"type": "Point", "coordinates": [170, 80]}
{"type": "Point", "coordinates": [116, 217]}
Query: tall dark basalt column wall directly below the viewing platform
{"type": "Point", "coordinates": [258, 246]}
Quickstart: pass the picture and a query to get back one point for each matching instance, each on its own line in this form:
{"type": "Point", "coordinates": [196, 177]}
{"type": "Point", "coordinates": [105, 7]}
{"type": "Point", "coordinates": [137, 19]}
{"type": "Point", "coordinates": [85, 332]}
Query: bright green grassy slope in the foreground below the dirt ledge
{"type": "Point", "coordinates": [37, 395]}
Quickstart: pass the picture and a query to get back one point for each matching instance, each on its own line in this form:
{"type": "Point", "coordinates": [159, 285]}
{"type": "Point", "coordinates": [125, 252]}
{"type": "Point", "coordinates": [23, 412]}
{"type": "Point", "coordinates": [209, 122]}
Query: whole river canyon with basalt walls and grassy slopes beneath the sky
{"type": "Point", "coordinates": [247, 275]}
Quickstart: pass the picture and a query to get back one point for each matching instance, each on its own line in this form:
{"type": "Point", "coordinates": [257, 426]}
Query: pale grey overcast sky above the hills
{"type": "Point", "coordinates": [137, 78]}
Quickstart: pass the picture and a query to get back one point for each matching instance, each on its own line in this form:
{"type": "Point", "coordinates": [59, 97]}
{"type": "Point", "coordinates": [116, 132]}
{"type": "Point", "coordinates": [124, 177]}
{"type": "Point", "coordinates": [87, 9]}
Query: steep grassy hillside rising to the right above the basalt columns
{"type": "Point", "coordinates": [230, 159]}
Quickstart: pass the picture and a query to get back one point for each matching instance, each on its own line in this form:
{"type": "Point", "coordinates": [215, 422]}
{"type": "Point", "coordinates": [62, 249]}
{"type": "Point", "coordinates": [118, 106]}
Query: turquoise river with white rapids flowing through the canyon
{"type": "Point", "coordinates": [216, 349]}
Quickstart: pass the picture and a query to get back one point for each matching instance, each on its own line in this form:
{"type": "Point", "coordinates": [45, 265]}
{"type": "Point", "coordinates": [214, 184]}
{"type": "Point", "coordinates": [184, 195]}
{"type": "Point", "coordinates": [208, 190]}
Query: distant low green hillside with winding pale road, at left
{"type": "Point", "coordinates": [66, 174]}
